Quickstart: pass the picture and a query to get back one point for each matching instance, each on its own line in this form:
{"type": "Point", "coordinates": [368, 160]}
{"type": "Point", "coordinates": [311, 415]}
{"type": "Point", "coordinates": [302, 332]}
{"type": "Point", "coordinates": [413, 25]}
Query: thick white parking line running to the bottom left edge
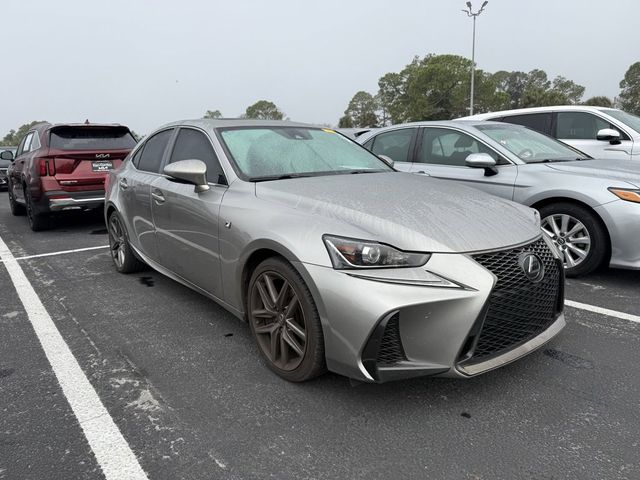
{"type": "Point", "coordinates": [112, 451]}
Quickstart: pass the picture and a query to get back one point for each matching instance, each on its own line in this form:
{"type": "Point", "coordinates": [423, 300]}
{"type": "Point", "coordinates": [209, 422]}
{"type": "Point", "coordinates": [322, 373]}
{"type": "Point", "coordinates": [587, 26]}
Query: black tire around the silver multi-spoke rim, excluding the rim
{"type": "Point", "coordinates": [597, 232]}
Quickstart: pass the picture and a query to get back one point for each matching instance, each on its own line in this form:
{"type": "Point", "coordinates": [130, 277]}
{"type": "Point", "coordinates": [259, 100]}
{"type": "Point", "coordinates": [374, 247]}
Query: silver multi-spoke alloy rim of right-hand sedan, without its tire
{"type": "Point", "coordinates": [570, 236]}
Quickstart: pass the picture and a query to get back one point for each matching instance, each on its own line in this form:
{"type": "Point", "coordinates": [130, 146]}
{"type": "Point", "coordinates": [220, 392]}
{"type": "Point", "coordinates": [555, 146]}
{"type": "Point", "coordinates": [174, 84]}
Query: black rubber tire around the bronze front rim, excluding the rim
{"type": "Point", "coordinates": [313, 363]}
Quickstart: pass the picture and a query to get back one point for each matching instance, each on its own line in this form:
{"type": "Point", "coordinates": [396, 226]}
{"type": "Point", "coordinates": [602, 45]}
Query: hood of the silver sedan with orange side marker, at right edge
{"type": "Point", "coordinates": [621, 170]}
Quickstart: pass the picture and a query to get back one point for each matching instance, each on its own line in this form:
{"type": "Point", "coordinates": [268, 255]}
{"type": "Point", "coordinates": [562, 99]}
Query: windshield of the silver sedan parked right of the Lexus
{"type": "Point", "coordinates": [529, 145]}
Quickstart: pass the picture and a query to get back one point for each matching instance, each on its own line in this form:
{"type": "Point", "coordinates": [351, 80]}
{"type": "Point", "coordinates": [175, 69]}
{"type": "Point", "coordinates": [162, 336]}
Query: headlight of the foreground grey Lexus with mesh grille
{"type": "Point", "coordinates": [348, 253]}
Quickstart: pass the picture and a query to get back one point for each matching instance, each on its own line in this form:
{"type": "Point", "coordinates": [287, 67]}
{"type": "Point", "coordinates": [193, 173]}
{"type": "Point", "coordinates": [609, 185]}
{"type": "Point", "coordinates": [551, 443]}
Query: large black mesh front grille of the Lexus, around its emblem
{"type": "Point", "coordinates": [518, 309]}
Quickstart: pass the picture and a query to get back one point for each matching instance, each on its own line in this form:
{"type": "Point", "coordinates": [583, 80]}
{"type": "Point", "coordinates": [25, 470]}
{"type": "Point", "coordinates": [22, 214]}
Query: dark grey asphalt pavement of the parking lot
{"type": "Point", "coordinates": [183, 382]}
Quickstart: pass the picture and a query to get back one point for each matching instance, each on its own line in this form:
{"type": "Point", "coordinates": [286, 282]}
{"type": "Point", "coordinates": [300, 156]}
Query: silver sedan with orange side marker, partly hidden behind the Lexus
{"type": "Point", "coordinates": [589, 207]}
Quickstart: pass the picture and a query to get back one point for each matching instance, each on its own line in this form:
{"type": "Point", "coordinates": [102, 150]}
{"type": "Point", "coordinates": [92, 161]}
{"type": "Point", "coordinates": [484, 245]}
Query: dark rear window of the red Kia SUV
{"type": "Point", "coordinates": [91, 138]}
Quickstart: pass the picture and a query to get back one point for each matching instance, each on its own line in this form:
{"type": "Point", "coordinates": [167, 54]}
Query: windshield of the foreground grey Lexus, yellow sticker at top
{"type": "Point", "coordinates": [265, 153]}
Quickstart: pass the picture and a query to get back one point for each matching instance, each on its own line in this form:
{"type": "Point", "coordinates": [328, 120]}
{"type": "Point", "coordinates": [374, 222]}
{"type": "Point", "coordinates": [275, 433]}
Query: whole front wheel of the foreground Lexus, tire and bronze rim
{"type": "Point", "coordinates": [285, 322]}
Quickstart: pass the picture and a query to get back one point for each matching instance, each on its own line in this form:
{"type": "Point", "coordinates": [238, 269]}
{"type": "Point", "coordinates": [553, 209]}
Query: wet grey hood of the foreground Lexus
{"type": "Point", "coordinates": [408, 211]}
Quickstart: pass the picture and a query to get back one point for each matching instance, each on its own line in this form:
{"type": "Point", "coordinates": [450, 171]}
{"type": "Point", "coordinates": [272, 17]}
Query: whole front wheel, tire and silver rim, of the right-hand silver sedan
{"type": "Point", "coordinates": [578, 234]}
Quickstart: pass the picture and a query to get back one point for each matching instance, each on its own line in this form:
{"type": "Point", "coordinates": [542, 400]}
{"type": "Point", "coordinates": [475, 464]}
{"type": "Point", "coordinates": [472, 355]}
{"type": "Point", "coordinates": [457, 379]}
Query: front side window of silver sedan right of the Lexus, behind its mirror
{"type": "Point", "coordinates": [442, 146]}
